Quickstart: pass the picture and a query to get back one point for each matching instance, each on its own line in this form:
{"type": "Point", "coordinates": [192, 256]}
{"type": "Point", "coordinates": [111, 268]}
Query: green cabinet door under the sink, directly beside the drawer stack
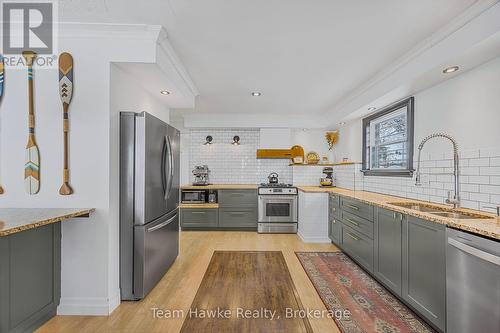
{"type": "Point", "coordinates": [388, 249]}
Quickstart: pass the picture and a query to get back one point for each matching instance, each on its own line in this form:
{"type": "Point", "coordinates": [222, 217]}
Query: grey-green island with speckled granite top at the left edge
{"type": "Point", "coordinates": [30, 265]}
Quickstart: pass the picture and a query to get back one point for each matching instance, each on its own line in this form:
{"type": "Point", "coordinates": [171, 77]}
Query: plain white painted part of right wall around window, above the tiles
{"type": "Point", "coordinates": [465, 107]}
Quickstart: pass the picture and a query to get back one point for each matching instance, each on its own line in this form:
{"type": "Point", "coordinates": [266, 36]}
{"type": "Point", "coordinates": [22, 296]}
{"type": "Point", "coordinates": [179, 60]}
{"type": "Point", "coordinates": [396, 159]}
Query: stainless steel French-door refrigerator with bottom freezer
{"type": "Point", "coordinates": [149, 200]}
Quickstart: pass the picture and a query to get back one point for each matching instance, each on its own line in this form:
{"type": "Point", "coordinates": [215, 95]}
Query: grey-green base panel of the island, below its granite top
{"type": "Point", "coordinates": [30, 278]}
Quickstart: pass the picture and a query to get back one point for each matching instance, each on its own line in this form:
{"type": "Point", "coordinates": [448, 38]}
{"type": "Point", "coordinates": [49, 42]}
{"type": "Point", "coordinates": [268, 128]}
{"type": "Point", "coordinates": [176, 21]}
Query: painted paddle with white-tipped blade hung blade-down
{"type": "Point", "coordinates": [32, 166]}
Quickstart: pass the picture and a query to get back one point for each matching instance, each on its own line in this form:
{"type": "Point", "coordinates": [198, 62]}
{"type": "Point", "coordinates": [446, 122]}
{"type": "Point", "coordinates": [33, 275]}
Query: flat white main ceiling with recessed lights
{"type": "Point", "coordinates": [304, 56]}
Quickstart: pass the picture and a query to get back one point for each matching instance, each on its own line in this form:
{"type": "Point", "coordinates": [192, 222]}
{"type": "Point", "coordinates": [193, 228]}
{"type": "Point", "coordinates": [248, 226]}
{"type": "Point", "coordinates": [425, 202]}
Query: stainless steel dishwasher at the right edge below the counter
{"type": "Point", "coordinates": [472, 282]}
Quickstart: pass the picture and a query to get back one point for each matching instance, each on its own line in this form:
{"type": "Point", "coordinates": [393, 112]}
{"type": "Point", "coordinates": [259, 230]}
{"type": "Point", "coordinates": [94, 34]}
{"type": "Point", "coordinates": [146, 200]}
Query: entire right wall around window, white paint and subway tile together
{"type": "Point", "coordinates": [465, 107]}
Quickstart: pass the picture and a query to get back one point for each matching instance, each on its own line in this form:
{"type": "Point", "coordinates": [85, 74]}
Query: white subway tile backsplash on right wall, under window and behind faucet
{"type": "Point", "coordinates": [479, 178]}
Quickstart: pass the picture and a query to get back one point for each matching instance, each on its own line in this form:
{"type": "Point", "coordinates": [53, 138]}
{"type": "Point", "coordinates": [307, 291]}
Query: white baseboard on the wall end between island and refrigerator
{"type": "Point", "coordinates": [88, 306]}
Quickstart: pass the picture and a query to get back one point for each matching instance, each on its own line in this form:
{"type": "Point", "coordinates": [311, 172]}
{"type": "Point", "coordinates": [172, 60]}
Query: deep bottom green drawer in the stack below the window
{"type": "Point", "coordinates": [358, 246]}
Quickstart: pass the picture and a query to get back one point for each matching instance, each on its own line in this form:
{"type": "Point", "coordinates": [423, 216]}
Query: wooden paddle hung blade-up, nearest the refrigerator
{"type": "Point", "coordinates": [66, 91]}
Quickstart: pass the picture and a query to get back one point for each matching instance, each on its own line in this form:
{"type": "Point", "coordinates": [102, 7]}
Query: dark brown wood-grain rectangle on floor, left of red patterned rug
{"type": "Point", "coordinates": [246, 291]}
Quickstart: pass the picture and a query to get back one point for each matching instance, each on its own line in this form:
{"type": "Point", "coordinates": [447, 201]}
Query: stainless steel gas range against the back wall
{"type": "Point", "coordinates": [278, 208]}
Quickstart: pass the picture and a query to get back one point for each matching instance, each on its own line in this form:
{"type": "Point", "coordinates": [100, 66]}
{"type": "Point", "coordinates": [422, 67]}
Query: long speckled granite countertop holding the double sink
{"type": "Point", "coordinates": [485, 227]}
